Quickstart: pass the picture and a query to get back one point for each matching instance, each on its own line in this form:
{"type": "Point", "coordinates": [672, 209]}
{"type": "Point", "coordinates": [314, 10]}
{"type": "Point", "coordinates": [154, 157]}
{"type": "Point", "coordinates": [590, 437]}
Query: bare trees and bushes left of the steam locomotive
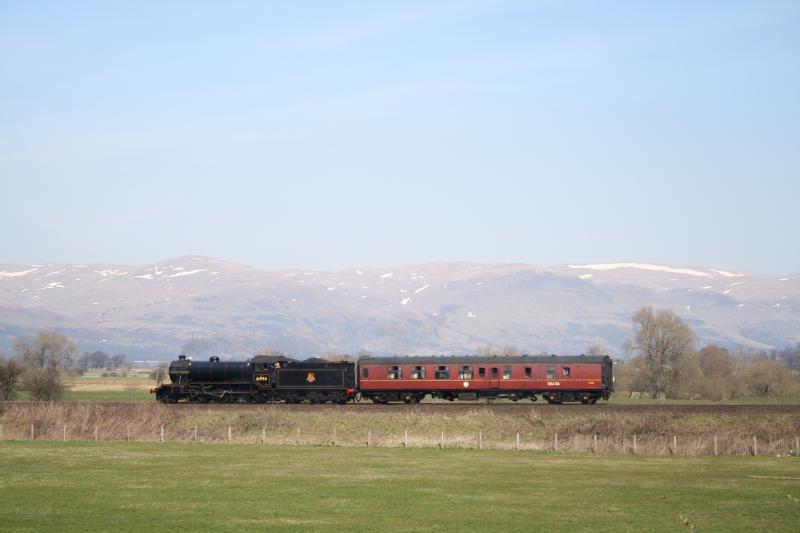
{"type": "Point", "coordinates": [39, 360]}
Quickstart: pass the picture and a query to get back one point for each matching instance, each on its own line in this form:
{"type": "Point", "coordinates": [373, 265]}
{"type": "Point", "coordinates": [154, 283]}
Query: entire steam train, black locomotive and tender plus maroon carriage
{"type": "Point", "coordinates": [263, 379]}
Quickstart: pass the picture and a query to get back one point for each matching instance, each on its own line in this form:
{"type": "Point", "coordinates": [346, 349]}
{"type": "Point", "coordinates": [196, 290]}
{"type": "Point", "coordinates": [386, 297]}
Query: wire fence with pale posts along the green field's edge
{"type": "Point", "coordinates": [575, 443]}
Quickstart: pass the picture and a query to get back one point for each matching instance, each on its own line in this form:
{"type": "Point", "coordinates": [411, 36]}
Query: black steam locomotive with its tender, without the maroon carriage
{"type": "Point", "coordinates": [261, 379]}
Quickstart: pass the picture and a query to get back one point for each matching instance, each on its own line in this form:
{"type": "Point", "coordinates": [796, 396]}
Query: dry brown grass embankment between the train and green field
{"type": "Point", "coordinates": [656, 433]}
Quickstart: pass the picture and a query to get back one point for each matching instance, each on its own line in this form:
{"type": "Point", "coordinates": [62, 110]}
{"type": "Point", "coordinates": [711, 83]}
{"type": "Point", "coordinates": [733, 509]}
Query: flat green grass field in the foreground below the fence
{"type": "Point", "coordinates": [48, 486]}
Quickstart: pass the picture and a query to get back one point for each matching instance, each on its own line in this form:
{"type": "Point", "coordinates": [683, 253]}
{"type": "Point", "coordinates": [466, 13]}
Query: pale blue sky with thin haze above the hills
{"type": "Point", "coordinates": [339, 134]}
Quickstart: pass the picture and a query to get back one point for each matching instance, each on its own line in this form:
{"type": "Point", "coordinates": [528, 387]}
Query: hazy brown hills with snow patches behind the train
{"type": "Point", "coordinates": [207, 306]}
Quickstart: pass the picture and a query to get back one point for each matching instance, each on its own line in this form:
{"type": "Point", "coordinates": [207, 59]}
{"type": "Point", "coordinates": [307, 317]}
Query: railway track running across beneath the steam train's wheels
{"type": "Point", "coordinates": [457, 407]}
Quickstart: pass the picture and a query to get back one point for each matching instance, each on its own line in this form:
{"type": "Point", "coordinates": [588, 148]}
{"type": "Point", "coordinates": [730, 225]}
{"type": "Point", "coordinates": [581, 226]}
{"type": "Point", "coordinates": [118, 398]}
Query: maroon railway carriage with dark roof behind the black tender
{"type": "Point", "coordinates": [557, 379]}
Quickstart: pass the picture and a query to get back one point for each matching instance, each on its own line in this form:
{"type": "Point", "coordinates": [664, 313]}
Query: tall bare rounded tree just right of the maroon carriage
{"type": "Point", "coordinates": [662, 340]}
